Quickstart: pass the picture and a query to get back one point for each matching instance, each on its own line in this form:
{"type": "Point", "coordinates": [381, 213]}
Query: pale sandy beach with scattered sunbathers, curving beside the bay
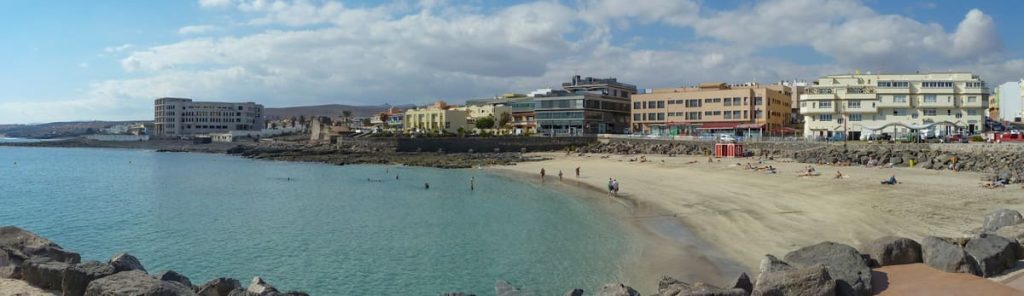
{"type": "Point", "coordinates": [743, 215]}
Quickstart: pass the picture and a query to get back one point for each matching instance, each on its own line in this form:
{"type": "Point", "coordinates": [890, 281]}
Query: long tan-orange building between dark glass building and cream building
{"type": "Point", "coordinates": [750, 110]}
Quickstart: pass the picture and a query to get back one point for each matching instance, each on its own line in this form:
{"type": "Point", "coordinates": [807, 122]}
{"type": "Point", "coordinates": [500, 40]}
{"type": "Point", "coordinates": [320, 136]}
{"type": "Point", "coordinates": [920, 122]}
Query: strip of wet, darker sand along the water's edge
{"type": "Point", "coordinates": [662, 244]}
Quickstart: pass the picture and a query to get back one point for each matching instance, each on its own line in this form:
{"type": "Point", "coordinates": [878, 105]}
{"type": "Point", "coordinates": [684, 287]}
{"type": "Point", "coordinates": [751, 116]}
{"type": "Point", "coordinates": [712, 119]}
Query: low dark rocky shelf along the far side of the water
{"type": "Point", "coordinates": [364, 154]}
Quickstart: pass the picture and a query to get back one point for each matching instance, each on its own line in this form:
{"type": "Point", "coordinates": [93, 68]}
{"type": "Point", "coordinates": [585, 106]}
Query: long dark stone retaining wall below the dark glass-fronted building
{"type": "Point", "coordinates": [489, 145]}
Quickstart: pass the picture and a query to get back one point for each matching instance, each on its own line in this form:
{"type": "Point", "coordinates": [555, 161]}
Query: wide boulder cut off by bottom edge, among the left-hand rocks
{"type": "Point", "coordinates": [136, 283]}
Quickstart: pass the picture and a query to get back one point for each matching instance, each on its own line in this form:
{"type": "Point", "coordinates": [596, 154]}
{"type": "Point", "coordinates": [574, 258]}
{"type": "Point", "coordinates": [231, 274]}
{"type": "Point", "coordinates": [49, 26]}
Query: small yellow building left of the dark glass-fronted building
{"type": "Point", "coordinates": [438, 118]}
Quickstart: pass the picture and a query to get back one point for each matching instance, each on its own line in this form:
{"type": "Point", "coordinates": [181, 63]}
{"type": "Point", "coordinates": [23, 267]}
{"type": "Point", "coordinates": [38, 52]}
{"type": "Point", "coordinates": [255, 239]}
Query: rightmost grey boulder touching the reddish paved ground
{"type": "Point", "coordinates": [995, 255]}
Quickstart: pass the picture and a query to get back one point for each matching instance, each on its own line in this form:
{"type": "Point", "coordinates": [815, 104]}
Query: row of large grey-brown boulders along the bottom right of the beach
{"type": "Point", "coordinates": [832, 269]}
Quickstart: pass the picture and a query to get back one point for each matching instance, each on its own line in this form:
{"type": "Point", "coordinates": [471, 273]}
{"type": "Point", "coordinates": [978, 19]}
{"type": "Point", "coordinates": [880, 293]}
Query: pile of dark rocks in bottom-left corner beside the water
{"type": "Point", "coordinates": [45, 265]}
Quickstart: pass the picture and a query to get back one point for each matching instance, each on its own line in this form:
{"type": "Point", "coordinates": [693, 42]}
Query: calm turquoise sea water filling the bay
{"type": "Point", "coordinates": [317, 228]}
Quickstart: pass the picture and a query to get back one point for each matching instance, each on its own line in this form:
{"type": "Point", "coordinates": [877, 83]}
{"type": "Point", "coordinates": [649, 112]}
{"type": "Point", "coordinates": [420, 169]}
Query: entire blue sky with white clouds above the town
{"type": "Point", "coordinates": [108, 60]}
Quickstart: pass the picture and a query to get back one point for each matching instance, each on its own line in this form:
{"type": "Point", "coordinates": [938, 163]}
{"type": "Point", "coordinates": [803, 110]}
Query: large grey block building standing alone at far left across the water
{"type": "Point", "coordinates": [183, 117]}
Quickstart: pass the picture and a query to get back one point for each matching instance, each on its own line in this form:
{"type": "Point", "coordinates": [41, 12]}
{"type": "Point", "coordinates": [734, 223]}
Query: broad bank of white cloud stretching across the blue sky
{"type": "Point", "coordinates": [304, 53]}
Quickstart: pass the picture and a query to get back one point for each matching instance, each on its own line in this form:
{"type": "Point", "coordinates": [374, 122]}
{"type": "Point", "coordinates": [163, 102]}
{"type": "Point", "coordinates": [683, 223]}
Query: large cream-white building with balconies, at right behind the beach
{"type": "Point", "coordinates": [861, 105]}
